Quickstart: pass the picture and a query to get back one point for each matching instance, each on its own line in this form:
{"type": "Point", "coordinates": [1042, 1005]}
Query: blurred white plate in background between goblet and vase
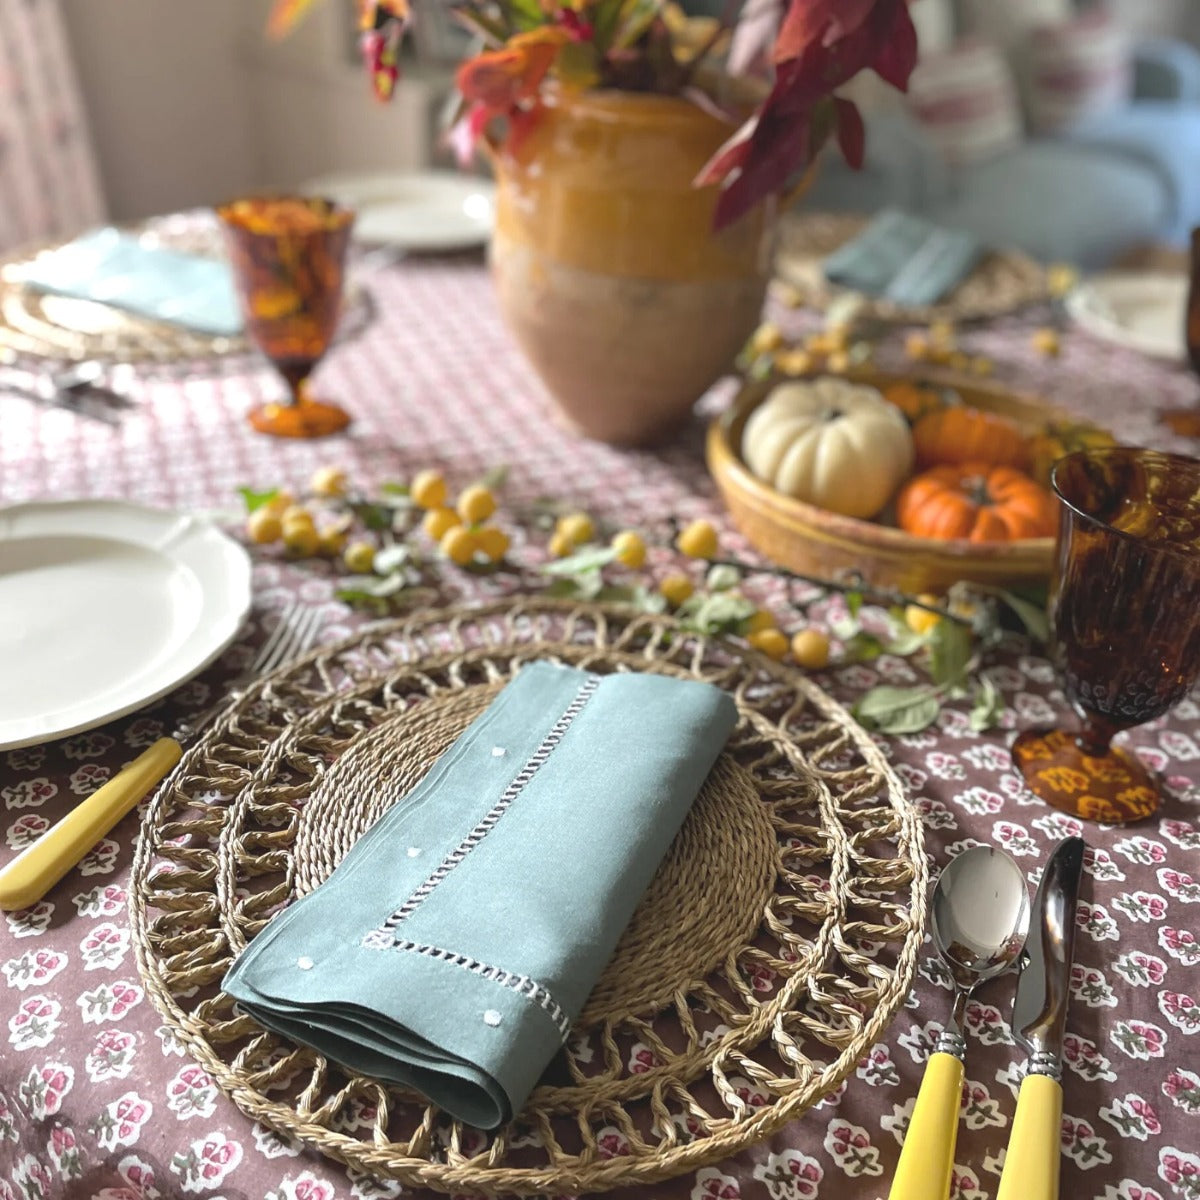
{"type": "Point", "coordinates": [428, 211]}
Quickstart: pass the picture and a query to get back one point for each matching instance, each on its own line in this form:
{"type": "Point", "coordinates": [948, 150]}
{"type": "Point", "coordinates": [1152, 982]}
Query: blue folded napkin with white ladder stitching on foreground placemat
{"type": "Point", "coordinates": [458, 941]}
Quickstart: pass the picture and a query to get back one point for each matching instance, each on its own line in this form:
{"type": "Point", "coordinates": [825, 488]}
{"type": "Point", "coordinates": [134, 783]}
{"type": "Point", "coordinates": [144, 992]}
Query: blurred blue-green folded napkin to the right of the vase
{"type": "Point", "coordinates": [905, 260]}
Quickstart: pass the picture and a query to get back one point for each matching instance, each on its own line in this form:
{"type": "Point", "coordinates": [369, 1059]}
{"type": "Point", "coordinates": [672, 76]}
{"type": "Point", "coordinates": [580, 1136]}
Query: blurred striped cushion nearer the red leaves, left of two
{"type": "Point", "coordinates": [967, 100]}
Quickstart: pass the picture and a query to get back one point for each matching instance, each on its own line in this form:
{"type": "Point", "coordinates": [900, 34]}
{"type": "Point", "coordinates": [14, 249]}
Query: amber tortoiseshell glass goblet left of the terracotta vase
{"type": "Point", "coordinates": [289, 257]}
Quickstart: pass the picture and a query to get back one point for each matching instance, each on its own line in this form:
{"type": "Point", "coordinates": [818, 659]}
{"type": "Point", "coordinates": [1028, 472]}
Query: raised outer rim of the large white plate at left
{"type": "Point", "coordinates": [223, 568]}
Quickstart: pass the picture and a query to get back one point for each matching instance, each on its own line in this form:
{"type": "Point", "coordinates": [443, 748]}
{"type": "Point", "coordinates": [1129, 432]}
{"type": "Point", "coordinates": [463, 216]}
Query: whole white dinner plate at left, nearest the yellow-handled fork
{"type": "Point", "coordinates": [106, 607]}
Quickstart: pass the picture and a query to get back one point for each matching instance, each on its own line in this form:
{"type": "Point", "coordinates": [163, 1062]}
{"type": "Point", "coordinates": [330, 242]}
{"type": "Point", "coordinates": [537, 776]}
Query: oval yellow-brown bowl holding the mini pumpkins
{"type": "Point", "coordinates": [815, 542]}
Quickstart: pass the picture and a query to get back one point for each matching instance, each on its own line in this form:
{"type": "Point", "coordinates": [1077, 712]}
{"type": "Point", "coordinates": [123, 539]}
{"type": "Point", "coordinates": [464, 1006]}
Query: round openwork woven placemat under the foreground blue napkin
{"type": "Point", "coordinates": [772, 951]}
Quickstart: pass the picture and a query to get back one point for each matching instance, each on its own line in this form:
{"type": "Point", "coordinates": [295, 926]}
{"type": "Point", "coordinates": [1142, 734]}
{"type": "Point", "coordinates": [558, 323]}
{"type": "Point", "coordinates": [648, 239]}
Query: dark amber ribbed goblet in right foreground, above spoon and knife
{"type": "Point", "coordinates": [1125, 607]}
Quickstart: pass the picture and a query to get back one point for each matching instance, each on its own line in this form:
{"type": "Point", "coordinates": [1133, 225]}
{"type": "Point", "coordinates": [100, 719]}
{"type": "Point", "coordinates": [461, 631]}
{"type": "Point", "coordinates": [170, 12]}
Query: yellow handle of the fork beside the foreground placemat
{"type": "Point", "coordinates": [38, 868]}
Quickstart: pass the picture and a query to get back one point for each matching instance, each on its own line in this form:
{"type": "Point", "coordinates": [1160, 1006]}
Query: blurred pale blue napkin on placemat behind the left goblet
{"type": "Point", "coordinates": [165, 285]}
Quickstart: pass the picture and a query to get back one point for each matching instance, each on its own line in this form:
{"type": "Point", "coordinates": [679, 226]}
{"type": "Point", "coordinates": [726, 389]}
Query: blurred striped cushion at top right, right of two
{"type": "Point", "coordinates": [1078, 69]}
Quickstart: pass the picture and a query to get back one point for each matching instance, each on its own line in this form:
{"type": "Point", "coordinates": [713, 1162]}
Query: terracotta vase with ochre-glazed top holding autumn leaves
{"type": "Point", "coordinates": [609, 273]}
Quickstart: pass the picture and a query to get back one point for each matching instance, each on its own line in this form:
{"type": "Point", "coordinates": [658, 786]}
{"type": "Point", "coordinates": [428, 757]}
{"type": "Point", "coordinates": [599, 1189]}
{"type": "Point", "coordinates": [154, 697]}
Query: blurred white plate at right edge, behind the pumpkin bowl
{"type": "Point", "coordinates": [1141, 310]}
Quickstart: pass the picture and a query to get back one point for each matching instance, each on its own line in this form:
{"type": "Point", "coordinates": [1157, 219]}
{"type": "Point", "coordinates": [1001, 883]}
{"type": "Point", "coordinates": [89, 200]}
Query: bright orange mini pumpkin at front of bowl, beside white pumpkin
{"type": "Point", "coordinates": [977, 502]}
